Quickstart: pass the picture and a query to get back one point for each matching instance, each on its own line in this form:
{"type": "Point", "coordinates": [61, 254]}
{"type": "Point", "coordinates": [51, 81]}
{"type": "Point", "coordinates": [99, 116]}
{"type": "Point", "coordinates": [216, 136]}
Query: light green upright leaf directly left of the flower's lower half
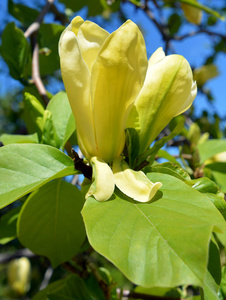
{"type": "Point", "coordinates": [62, 116]}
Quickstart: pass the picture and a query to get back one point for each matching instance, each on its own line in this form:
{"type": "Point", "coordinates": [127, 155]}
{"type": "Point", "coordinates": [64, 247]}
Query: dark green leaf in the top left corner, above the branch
{"type": "Point", "coordinates": [23, 13]}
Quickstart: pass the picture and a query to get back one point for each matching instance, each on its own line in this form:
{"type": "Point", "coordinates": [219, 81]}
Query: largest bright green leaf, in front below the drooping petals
{"type": "Point", "coordinates": [163, 243]}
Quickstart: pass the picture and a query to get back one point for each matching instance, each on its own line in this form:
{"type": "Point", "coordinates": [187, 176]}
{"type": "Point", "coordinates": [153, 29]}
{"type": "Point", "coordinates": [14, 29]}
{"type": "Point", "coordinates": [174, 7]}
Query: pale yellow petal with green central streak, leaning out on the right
{"type": "Point", "coordinates": [168, 90]}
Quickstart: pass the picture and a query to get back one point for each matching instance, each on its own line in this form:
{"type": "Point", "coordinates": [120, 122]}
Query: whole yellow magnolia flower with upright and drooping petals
{"type": "Point", "coordinates": [112, 86]}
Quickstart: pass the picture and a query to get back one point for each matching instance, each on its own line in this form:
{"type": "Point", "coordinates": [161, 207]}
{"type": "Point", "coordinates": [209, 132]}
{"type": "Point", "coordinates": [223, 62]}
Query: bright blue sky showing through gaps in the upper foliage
{"type": "Point", "coordinates": [195, 49]}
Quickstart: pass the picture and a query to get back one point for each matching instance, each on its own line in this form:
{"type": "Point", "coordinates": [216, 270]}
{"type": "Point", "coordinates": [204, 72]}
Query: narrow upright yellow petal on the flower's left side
{"type": "Point", "coordinates": [76, 77]}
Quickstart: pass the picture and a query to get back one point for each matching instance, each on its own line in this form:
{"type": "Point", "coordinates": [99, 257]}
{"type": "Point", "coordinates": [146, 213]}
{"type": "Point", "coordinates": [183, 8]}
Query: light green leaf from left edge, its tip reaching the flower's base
{"type": "Point", "coordinates": [25, 167]}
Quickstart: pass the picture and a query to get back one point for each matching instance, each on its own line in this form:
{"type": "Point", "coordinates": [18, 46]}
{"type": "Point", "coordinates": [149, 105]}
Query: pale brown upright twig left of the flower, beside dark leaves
{"type": "Point", "coordinates": [36, 73]}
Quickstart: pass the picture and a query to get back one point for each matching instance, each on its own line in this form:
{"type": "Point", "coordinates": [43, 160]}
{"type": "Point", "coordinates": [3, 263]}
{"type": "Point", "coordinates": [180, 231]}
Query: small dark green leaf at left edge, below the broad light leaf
{"type": "Point", "coordinates": [8, 225]}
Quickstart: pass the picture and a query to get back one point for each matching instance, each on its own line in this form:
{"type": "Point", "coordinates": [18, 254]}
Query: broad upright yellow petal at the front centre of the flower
{"type": "Point", "coordinates": [117, 77]}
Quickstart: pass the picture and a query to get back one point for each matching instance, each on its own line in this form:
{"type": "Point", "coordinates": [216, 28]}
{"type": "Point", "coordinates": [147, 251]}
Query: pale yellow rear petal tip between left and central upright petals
{"type": "Point", "coordinates": [90, 38]}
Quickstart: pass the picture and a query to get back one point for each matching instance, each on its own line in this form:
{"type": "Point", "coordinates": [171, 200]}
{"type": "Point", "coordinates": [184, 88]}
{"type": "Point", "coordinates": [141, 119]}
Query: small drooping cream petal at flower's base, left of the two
{"type": "Point", "coordinates": [103, 185]}
